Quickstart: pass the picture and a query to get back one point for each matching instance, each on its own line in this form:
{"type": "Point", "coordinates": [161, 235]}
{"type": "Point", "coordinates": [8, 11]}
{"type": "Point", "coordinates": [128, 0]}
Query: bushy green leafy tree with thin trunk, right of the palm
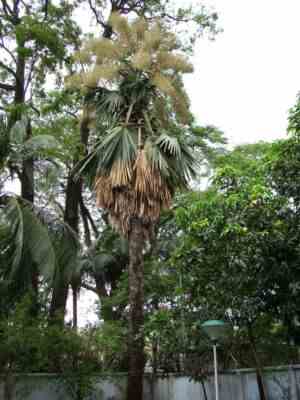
{"type": "Point", "coordinates": [238, 246]}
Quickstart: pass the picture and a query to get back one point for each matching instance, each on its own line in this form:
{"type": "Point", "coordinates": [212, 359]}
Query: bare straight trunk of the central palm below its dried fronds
{"type": "Point", "coordinates": [136, 312]}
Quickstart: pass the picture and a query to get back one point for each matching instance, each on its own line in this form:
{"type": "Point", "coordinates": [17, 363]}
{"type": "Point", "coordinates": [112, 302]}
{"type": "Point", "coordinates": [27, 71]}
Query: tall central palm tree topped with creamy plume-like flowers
{"type": "Point", "coordinates": [141, 116]}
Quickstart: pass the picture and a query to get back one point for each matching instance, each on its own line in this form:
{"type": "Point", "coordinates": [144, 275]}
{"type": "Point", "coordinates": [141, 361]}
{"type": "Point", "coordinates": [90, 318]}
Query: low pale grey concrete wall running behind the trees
{"type": "Point", "coordinates": [282, 384]}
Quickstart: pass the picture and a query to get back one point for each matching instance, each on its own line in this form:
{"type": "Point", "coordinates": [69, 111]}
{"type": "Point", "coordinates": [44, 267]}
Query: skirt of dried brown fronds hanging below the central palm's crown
{"type": "Point", "coordinates": [143, 196]}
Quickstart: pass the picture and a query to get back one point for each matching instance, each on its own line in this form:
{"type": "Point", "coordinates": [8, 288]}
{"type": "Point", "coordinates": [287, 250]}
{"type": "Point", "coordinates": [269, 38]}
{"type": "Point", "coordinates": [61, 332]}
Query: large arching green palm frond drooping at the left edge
{"type": "Point", "coordinates": [37, 241]}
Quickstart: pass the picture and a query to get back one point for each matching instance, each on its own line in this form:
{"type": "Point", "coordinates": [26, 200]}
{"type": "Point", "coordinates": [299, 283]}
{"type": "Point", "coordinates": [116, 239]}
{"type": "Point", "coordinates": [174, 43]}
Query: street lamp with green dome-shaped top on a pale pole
{"type": "Point", "coordinates": [216, 330]}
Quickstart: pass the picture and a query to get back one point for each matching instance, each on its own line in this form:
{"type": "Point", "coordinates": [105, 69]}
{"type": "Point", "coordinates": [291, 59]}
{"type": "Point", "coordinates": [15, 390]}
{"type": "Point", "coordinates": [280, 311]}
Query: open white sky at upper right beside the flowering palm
{"type": "Point", "coordinates": [247, 79]}
